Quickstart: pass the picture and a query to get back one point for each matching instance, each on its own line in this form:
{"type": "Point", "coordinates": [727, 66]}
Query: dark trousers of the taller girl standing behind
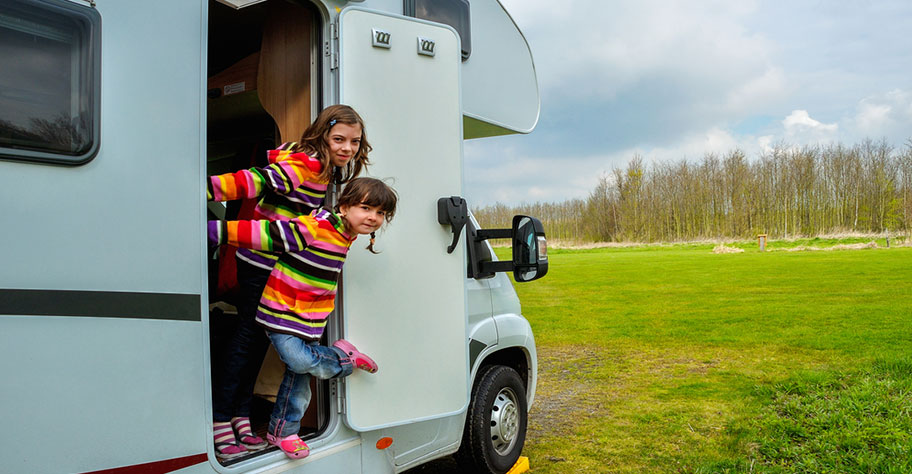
{"type": "Point", "coordinates": [235, 377]}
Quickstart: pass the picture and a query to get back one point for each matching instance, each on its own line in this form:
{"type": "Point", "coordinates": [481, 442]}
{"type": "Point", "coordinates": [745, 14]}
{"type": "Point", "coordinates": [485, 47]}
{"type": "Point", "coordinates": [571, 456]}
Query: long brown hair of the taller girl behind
{"type": "Point", "coordinates": [313, 140]}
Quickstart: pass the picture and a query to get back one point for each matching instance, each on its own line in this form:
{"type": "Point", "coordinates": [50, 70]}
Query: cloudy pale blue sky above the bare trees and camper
{"type": "Point", "coordinates": [671, 80]}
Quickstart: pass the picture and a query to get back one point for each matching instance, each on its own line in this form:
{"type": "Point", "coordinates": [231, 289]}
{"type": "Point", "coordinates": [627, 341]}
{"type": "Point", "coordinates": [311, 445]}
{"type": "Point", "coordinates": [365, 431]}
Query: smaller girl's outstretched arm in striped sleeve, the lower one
{"type": "Point", "coordinates": [273, 236]}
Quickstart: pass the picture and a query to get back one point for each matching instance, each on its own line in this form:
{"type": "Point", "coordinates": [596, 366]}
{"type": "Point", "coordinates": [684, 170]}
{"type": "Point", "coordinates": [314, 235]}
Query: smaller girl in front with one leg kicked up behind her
{"type": "Point", "coordinates": [301, 290]}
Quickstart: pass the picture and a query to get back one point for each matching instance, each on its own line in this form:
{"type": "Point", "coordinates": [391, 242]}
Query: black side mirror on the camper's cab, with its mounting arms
{"type": "Point", "coordinates": [530, 251]}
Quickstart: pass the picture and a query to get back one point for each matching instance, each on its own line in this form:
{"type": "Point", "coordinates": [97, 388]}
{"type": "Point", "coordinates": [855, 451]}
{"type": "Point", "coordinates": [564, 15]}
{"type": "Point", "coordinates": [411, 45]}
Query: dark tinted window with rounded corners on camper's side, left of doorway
{"type": "Point", "coordinates": [49, 82]}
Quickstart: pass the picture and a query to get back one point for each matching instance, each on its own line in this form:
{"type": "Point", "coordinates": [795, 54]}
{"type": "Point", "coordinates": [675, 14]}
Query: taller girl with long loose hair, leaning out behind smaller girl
{"type": "Point", "coordinates": [334, 148]}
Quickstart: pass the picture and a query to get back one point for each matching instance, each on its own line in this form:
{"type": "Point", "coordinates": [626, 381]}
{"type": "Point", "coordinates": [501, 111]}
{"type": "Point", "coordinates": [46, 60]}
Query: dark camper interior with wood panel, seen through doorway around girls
{"type": "Point", "coordinates": [253, 106]}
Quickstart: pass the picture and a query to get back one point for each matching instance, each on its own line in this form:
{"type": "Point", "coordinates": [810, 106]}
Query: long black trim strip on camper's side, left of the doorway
{"type": "Point", "coordinates": [100, 304]}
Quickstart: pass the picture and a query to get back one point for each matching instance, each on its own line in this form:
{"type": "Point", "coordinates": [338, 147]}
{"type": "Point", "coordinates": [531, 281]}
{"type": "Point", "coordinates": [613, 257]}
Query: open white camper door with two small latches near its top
{"type": "Point", "coordinates": [406, 306]}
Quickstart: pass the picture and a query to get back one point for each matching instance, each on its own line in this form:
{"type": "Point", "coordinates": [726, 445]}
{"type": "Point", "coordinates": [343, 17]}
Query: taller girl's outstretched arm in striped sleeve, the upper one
{"type": "Point", "coordinates": [281, 177]}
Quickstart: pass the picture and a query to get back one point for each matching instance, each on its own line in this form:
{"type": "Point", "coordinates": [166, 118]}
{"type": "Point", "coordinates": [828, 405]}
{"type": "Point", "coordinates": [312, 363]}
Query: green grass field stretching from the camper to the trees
{"type": "Point", "coordinates": [675, 359]}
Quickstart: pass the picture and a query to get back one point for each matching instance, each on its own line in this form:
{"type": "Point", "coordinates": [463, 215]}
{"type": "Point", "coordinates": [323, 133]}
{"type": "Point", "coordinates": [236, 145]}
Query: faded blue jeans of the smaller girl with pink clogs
{"type": "Point", "coordinates": [302, 360]}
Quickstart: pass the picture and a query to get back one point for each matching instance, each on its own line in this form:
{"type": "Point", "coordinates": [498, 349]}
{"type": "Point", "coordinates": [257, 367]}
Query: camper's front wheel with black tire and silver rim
{"type": "Point", "coordinates": [495, 430]}
